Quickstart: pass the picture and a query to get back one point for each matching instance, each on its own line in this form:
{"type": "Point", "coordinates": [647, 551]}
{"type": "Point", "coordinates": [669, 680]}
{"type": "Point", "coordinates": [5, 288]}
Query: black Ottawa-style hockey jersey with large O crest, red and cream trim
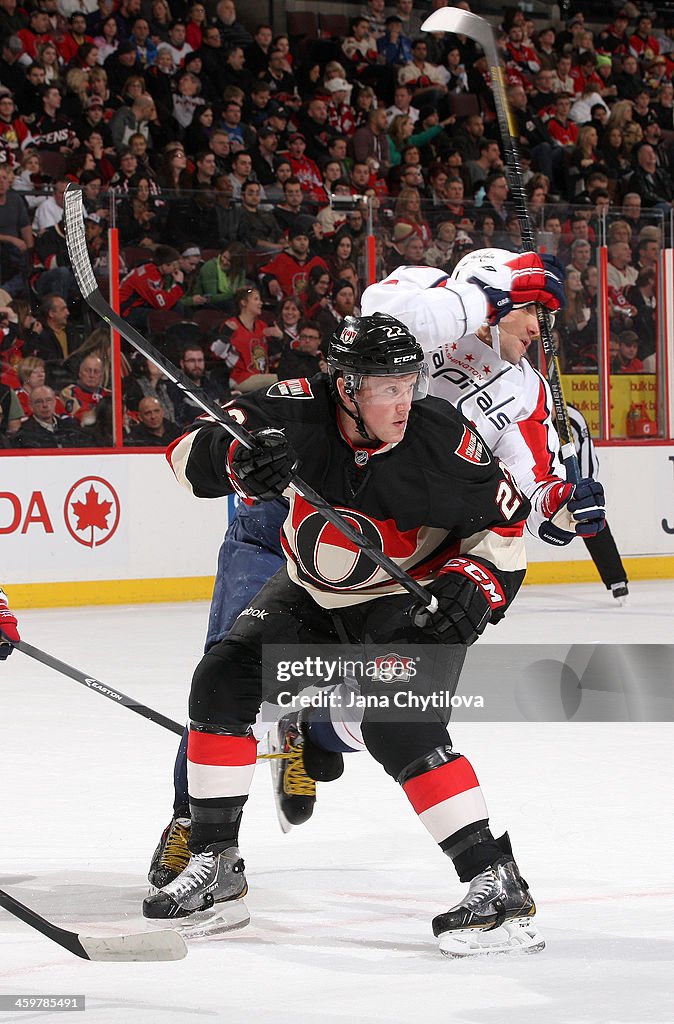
{"type": "Point", "coordinates": [438, 497]}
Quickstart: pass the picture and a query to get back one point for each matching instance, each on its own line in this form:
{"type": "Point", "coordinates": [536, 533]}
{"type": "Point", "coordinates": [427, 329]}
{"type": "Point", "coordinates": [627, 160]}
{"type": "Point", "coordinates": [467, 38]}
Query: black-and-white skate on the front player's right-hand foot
{"type": "Point", "coordinates": [495, 917]}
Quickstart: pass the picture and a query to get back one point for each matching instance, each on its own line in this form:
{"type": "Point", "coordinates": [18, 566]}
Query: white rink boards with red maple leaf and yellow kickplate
{"type": "Point", "coordinates": [108, 528]}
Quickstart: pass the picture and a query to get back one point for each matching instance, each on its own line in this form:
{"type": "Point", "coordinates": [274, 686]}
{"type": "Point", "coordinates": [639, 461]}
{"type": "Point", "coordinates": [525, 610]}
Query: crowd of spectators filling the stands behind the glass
{"type": "Point", "coordinates": [218, 146]}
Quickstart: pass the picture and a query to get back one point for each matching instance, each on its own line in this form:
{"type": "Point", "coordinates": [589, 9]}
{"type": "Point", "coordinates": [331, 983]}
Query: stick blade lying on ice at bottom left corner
{"type": "Point", "coordinates": [148, 947]}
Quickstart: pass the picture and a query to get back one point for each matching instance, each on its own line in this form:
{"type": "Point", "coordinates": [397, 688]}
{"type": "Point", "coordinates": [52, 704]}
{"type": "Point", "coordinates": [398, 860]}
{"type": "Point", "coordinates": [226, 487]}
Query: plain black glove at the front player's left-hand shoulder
{"type": "Point", "coordinates": [264, 472]}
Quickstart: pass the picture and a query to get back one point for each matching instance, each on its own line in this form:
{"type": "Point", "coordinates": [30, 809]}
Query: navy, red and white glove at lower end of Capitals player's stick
{"type": "Point", "coordinates": [573, 510]}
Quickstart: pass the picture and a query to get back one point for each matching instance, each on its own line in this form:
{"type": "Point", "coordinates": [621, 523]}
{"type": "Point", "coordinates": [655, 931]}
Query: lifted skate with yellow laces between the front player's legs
{"type": "Point", "coordinates": [294, 792]}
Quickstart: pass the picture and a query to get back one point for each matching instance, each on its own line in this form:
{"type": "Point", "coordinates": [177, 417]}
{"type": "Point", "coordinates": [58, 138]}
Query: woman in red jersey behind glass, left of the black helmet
{"type": "Point", "coordinates": [243, 345]}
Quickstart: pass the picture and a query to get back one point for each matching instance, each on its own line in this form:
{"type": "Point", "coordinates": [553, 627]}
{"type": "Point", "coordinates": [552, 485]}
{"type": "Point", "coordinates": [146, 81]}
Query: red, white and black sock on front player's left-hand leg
{"type": "Point", "coordinates": [221, 772]}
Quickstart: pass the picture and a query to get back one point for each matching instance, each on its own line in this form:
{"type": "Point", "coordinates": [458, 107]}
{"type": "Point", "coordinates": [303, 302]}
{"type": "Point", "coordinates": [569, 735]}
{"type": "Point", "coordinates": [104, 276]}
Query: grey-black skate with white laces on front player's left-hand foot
{"type": "Point", "coordinates": [209, 891]}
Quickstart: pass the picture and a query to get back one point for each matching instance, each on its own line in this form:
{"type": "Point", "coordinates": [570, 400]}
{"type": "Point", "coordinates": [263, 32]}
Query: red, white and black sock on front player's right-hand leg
{"type": "Point", "coordinates": [444, 790]}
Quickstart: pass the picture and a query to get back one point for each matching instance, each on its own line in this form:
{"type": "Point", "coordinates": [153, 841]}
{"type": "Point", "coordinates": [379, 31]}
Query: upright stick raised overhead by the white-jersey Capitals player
{"type": "Point", "coordinates": [466, 24]}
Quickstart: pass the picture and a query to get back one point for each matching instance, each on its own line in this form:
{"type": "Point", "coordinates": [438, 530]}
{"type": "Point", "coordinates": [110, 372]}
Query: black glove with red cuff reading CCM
{"type": "Point", "coordinates": [466, 601]}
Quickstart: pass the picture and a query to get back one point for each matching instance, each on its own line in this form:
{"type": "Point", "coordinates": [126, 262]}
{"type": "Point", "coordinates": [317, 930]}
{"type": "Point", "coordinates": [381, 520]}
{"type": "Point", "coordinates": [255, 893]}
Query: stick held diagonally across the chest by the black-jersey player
{"type": "Point", "coordinates": [77, 250]}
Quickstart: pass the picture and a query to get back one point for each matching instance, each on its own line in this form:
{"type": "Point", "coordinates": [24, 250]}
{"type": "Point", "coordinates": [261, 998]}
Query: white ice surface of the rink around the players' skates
{"type": "Point", "coordinates": [342, 908]}
